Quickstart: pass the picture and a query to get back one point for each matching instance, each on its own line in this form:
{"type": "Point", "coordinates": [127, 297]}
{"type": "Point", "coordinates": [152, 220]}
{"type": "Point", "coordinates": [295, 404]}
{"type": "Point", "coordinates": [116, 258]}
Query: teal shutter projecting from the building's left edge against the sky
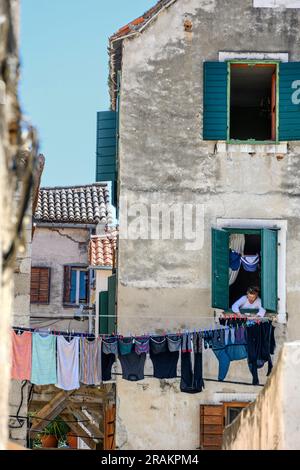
{"type": "Point", "coordinates": [106, 146]}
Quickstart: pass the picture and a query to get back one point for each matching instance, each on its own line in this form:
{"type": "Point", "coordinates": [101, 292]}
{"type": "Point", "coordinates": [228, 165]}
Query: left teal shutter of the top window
{"type": "Point", "coordinates": [215, 106]}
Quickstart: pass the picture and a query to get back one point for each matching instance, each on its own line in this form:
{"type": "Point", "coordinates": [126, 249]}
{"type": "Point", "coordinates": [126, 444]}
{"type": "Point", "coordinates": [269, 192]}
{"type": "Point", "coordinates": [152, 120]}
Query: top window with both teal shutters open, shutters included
{"type": "Point", "coordinates": [251, 101]}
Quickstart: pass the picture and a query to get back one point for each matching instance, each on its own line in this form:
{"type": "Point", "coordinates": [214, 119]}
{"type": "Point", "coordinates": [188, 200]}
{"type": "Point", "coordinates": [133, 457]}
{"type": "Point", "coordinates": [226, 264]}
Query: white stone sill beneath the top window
{"type": "Point", "coordinates": [259, 148]}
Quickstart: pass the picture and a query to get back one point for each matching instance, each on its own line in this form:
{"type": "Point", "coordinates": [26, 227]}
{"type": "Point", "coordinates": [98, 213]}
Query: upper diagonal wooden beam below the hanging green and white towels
{"type": "Point", "coordinates": [50, 411]}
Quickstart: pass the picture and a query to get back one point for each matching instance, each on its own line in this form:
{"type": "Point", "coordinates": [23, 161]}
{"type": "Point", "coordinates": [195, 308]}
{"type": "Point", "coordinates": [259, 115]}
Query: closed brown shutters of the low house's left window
{"type": "Point", "coordinates": [40, 286]}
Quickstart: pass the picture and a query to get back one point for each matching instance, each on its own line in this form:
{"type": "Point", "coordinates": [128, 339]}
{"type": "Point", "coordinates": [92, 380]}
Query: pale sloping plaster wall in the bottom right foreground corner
{"type": "Point", "coordinates": [272, 422]}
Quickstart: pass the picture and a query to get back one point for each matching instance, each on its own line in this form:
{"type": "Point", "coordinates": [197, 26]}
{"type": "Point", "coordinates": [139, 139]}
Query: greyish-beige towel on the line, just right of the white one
{"type": "Point", "coordinates": [90, 361]}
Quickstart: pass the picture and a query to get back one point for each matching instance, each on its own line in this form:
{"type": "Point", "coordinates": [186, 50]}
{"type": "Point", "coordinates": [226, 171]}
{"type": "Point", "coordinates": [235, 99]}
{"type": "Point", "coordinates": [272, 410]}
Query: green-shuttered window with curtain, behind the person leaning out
{"type": "Point", "coordinates": [256, 265]}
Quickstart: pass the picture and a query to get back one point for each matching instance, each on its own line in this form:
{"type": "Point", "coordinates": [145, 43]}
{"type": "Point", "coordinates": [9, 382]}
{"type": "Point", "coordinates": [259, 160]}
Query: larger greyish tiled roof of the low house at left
{"type": "Point", "coordinates": [77, 204]}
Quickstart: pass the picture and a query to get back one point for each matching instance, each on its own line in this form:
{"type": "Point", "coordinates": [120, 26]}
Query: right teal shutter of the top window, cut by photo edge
{"type": "Point", "coordinates": [289, 101]}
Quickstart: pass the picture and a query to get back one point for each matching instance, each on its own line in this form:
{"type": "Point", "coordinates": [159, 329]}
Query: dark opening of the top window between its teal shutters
{"type": "Point", "coordinates": [253, 107]}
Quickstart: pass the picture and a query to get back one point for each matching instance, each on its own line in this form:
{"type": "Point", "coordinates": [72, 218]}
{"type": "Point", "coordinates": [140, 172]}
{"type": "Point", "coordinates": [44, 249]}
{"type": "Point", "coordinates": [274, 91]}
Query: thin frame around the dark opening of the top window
{"type": "Point", "coordinates": [252, 62]}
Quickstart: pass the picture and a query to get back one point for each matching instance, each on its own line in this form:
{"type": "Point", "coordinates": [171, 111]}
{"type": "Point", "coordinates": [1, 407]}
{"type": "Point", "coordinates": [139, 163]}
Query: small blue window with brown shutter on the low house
{"type": "Point", "coordinates": [76, 285]}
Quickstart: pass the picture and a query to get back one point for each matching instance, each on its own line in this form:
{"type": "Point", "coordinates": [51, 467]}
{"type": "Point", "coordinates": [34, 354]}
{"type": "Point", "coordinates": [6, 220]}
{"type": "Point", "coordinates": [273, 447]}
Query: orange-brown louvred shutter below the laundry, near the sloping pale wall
{"type": "Point", "coordinates": [211, 427]}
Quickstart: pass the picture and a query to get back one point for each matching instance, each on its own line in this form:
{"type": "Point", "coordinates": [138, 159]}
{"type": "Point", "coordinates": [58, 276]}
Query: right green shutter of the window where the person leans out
{"type": "Point", "coordinates": [269, 289]}
